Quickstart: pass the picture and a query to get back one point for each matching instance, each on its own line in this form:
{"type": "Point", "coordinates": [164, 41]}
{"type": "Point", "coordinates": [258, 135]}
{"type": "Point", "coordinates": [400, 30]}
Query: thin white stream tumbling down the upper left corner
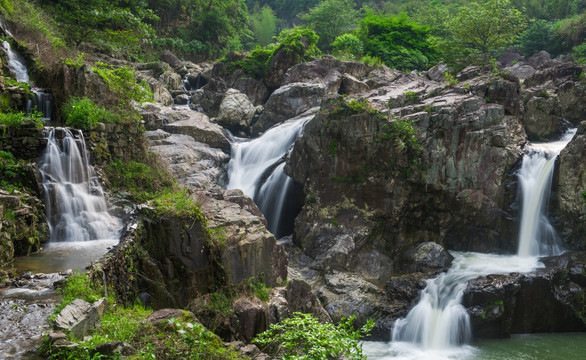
{"type": "Point", "coordinates": [43, 100]}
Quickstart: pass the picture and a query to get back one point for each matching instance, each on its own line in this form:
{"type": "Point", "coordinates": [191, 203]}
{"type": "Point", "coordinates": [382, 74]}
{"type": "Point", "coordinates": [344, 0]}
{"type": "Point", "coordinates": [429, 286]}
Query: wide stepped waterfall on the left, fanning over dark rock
{"type": "Point", "coordinates": [75, 205]}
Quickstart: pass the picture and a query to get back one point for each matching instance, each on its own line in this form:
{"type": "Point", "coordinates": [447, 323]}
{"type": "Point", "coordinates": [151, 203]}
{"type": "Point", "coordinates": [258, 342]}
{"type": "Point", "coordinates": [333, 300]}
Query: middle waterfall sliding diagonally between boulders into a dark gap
{"type": "Point", "coordinates": [256, 167]}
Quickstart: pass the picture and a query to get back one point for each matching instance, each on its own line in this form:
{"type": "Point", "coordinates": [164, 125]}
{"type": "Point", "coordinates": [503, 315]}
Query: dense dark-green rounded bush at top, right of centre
{"type": "Point", "coordinates": [398, 41]}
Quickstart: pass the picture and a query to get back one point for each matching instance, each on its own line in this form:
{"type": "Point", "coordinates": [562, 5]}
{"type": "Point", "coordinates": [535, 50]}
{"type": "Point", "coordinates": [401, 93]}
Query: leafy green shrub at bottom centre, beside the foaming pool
{"type": "Point", "coordinates": [302, 336]}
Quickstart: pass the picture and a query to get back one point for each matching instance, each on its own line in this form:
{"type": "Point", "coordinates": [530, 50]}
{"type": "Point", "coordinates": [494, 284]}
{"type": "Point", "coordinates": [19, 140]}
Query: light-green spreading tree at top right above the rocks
{"type": "Point", "coordinates": [487, 27]}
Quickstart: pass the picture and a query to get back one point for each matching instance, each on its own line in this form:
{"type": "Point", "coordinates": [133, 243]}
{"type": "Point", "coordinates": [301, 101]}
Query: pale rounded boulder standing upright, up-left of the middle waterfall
{"type": "Point", "coordinates": [236, 111]}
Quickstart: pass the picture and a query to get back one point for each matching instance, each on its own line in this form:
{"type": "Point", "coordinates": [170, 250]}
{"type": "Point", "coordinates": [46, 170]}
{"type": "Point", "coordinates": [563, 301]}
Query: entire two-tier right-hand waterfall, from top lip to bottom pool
{"type": "Point", "coordinates": [439, 322]}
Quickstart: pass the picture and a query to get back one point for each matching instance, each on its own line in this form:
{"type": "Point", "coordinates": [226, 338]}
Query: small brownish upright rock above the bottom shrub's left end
{"type": "Point", "coordinates": [251, 318]}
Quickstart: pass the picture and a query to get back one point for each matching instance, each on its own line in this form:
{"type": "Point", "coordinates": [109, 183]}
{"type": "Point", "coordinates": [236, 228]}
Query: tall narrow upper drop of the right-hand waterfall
{"type": "Point", "coordinates": [537, 237]}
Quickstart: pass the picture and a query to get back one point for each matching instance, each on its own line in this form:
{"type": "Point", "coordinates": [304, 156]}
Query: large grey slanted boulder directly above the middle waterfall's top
{"type": "Point", "coordinates": [289, 101]}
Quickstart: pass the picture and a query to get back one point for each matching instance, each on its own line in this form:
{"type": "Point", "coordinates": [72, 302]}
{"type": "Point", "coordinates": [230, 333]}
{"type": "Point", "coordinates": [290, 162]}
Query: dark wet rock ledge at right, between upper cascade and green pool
{"type": "Point", "coordinates": [548, 300]}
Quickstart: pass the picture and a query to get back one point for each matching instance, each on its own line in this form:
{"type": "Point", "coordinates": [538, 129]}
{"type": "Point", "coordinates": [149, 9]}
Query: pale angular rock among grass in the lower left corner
{"type": "Point", "coordinates": [79, 317]}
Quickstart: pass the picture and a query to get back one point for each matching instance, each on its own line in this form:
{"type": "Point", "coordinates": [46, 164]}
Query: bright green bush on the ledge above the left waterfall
{"type": "Point", "coordinates": [84, 114]}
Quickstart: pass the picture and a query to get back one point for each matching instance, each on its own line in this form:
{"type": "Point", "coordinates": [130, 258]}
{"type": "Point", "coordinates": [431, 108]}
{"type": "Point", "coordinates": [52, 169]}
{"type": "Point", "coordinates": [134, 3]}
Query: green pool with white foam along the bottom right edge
{"type": "Point", "coordinates": [567, 346]}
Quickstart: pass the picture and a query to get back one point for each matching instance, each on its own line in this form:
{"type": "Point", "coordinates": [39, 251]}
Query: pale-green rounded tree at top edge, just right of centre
{"type": "Point", "coordinates": [330, 19]}
